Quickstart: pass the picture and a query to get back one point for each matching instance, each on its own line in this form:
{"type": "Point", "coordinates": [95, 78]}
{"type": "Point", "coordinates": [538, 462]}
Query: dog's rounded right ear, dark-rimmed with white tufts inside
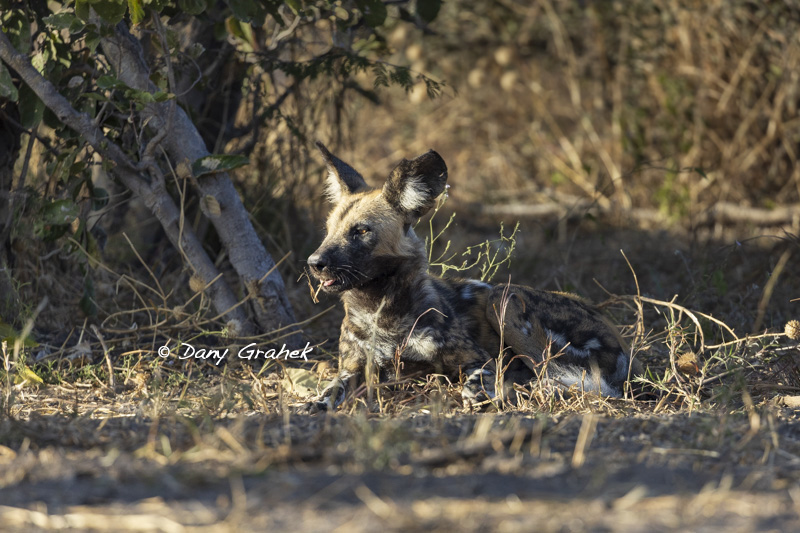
{"type": "Point", "coordinates": [414, 185]}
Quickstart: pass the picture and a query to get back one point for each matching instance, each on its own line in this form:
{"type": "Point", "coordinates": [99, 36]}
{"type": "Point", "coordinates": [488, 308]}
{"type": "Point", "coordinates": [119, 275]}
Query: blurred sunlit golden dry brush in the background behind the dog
{"type": "Point", "coordinates": [657, 113]}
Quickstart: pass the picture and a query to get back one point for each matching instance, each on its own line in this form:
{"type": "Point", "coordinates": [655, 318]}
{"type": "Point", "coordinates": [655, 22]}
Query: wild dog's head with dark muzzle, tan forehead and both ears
{"type": "Point", "coordinates": [369, 233]}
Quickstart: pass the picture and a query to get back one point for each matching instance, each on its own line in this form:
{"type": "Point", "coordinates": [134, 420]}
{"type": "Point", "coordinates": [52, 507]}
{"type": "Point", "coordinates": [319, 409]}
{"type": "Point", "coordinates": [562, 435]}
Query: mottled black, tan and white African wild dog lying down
{"type": "Point", "coordinates": [372, 258]}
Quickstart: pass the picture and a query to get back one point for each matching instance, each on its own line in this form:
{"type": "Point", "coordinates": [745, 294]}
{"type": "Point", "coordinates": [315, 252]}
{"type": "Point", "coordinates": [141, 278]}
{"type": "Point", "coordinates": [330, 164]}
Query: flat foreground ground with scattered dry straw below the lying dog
{"type": "Point", "coordinates": [617, 469]}
